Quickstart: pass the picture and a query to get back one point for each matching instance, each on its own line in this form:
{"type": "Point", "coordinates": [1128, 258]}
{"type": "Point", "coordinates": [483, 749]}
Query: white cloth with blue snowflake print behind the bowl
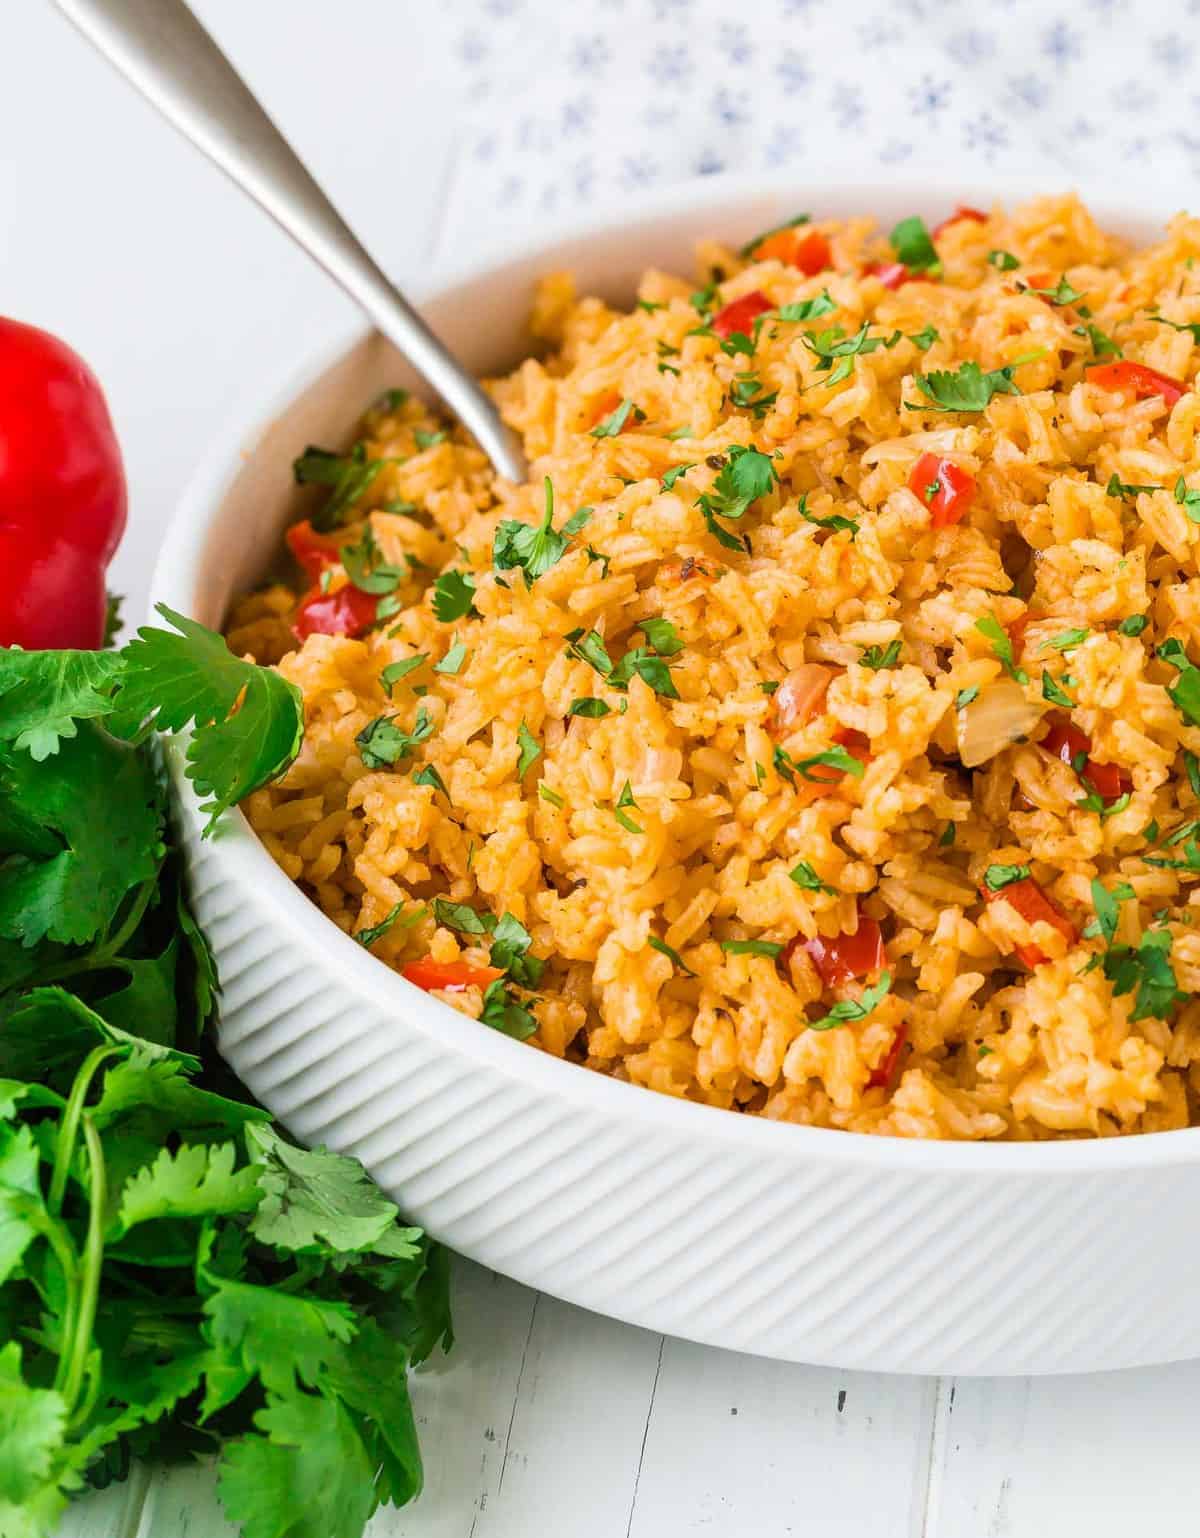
{"type": "Point", "coordinates": [570, 104]}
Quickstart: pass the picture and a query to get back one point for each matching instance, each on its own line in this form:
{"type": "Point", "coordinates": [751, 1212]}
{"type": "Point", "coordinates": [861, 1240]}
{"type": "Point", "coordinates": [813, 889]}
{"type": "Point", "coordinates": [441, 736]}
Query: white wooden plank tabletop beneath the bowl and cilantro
{"type": "Point", "coordinates": [545, 1419]}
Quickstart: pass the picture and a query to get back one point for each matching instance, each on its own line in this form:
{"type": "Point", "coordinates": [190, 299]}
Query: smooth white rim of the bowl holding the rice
{"type": "Point", "coordinates": [250, 867]}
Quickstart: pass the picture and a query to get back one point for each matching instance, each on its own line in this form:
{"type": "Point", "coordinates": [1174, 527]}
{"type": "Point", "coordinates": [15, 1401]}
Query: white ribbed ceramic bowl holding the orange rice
{"type": "Point", "coordinates": [793, 1242]}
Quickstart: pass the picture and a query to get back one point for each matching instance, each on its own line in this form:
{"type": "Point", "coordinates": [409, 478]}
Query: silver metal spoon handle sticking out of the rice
{"type": "Point", "coordinates": [162, 50]}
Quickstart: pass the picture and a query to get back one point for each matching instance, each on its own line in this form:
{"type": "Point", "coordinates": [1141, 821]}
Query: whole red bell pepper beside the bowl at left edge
{"type": "Point", "coordinates": [62, 494]}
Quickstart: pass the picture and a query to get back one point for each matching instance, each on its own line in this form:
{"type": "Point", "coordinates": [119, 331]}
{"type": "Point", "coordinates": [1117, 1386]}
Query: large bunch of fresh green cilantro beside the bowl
{"type": "Point", "coordinates": [176, 1277]}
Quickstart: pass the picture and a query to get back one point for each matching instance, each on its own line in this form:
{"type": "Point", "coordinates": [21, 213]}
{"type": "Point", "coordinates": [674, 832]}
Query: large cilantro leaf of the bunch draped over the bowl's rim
{"type": "Point", "coordinates": [247, 721]}
